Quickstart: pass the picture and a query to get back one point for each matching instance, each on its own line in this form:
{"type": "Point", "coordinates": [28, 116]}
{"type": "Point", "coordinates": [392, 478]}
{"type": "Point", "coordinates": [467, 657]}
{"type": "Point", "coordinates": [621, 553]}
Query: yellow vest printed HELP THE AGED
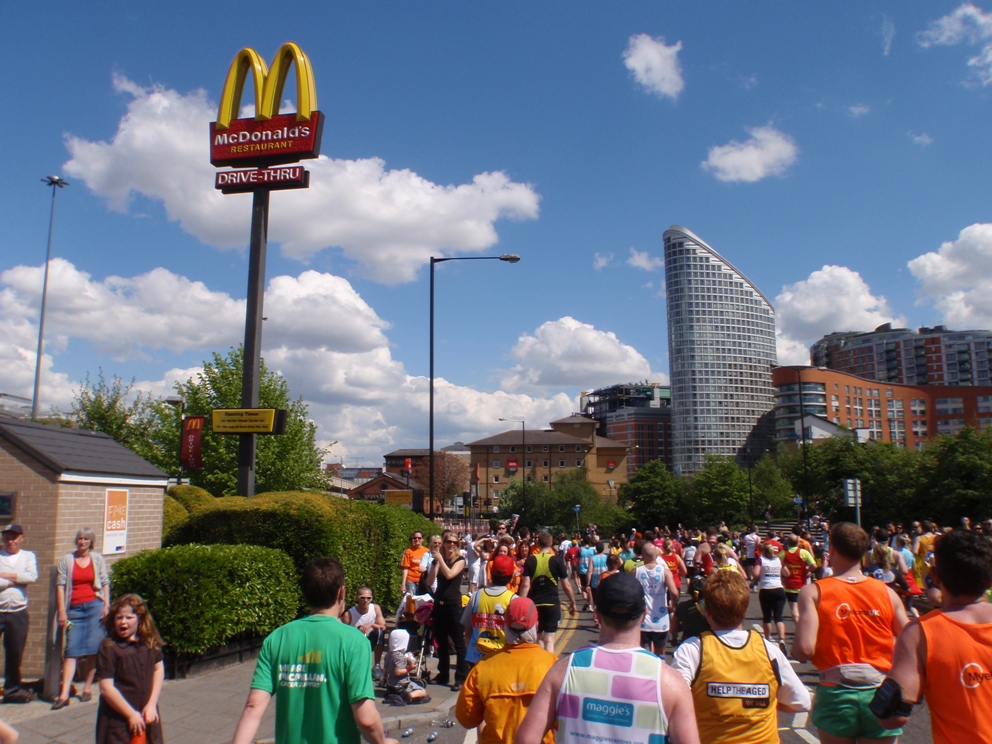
{"type": "Point", "coordinates": [735, 692]}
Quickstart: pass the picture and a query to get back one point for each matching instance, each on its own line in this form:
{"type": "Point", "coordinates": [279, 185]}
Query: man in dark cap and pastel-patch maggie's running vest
{"type": "Point", "coordinates": [613, 691]}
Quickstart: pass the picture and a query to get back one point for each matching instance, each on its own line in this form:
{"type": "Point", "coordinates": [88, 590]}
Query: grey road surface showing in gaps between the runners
{"type": "Point", "coordinates": [794, 728]}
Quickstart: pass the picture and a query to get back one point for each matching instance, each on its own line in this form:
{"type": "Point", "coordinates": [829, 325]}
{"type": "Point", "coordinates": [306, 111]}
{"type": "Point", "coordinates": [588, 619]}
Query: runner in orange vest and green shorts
{"type": "Point", "coordinates": [847, 627]}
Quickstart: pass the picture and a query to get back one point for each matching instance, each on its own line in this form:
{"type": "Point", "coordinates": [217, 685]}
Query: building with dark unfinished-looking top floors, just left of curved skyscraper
{"type": "Point", "coordinates": [638, 414]}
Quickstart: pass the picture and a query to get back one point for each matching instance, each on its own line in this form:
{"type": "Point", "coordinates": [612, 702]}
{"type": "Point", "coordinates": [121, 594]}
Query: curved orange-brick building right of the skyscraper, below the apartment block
{"type": "Point", "coordinates": [907, 415]}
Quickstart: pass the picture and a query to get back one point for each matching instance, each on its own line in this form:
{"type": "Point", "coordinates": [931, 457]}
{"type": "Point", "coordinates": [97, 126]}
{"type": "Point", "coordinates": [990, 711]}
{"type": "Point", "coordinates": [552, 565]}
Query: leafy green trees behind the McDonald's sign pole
{"type": "Point", "coordinates": [285, 462]}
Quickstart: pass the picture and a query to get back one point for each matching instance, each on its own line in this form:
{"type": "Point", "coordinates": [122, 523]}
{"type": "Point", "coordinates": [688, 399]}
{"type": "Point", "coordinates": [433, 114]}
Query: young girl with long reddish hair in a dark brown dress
{"type": "Point", "coordinates": [131, 674]}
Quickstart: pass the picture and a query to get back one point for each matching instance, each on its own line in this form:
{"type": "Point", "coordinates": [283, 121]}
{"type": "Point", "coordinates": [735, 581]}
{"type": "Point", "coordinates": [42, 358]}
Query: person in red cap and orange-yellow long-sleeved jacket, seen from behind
{"type": "Point", "coordinates": [499, 689]}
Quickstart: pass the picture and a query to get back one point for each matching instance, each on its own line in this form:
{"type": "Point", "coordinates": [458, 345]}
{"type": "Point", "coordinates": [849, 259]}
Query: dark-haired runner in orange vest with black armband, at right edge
{"type": "Point", "coordinates": [946, 656]}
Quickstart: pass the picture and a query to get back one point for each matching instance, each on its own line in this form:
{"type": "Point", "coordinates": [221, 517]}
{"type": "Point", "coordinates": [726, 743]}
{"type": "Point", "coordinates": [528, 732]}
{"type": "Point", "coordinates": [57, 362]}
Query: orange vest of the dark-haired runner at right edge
{"type": "Point", "coordinates": [958, 684]}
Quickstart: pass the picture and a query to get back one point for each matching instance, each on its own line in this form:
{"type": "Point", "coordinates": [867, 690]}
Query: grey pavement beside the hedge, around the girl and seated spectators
{"type": "Point", "coordinates": [203, 709]}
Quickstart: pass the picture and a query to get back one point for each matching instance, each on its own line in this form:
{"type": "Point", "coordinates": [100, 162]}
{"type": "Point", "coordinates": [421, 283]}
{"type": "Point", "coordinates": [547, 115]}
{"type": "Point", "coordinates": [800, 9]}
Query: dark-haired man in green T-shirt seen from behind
{"type": "Point", "coordinates": [318, 669]}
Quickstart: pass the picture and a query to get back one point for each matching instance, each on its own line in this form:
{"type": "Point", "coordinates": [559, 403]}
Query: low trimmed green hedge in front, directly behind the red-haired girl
{"type": "Point", "coordinates": [204, 596]}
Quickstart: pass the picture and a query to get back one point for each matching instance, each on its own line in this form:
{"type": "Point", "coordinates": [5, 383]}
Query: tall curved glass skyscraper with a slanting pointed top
{"type": "Point", "coordinates": [721, 348]}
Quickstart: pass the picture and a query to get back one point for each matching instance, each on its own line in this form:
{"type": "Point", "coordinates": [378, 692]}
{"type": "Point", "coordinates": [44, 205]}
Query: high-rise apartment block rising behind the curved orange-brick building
{"type": "Point", "coordinates": [932, 356]}
